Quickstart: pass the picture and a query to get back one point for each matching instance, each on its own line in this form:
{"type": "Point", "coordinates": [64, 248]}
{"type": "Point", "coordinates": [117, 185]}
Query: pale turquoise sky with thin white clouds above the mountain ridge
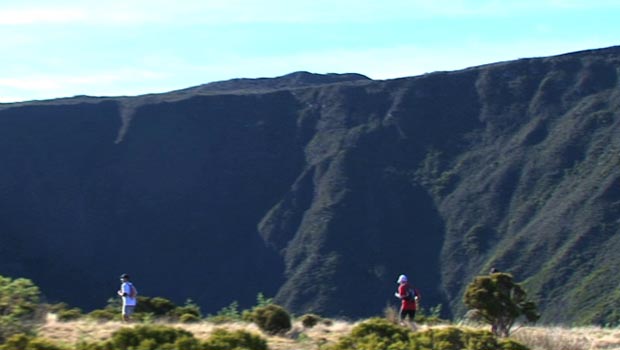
{"type": "Point", "coordinates": [60, 48]}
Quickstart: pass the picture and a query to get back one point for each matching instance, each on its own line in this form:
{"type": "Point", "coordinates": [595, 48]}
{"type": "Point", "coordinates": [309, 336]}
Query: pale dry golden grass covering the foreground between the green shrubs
{"type": "Point", "coordinates": [299, 338]}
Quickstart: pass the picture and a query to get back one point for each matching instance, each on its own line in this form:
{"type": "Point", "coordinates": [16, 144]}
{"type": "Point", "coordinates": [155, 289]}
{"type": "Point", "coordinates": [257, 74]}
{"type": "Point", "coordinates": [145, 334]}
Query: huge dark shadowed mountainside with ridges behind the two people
{"type": "Point", "coordinates": [322, 189]}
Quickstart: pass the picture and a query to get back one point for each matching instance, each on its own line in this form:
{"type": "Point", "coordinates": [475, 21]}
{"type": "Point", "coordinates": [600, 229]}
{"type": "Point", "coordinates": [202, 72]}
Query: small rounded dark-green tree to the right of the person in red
{"type": "Point", "coordinates": [499, 301]}
